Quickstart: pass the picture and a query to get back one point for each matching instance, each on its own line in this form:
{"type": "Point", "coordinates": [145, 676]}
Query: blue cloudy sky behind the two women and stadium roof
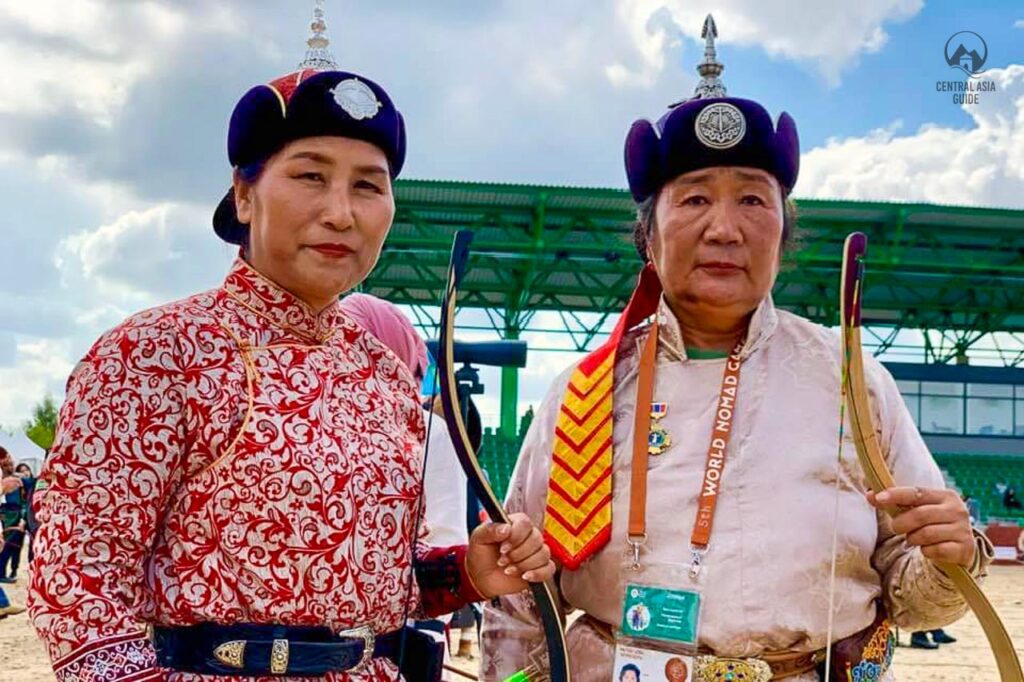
{"type": "Point", "coordinates": [114, 120]}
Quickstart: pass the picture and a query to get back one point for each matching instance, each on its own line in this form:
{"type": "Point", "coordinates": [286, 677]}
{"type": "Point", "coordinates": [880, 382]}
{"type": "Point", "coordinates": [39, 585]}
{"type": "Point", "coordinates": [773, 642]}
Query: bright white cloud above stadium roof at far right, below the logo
{"type": "Point", "coordinates": [982, 166]}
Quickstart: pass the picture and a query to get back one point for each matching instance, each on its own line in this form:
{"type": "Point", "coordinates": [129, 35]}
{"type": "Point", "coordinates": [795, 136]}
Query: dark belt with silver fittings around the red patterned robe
{"type": "Point", "coordinates": [210, 649]}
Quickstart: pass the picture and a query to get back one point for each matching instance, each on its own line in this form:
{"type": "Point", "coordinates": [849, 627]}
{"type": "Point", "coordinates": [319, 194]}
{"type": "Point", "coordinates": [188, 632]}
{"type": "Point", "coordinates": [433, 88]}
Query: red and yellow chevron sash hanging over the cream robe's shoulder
{"type": "Point", "coordinates": [578, 519]}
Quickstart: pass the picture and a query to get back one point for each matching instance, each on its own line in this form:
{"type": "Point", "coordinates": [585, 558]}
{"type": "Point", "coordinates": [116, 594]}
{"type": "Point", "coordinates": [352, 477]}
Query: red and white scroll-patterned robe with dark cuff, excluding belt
{"type": "Point", "coordinates": [232, 458]}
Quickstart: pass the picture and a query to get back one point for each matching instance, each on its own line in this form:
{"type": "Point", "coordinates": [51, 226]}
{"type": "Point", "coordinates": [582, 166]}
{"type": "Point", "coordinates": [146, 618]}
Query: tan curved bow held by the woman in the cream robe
{"type": "Point", "coordinates": [874, 463]}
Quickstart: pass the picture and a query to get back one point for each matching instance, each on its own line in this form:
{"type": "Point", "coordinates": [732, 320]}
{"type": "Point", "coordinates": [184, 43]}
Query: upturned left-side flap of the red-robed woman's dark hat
{"type": "Point", "coordinates": [258, 126]}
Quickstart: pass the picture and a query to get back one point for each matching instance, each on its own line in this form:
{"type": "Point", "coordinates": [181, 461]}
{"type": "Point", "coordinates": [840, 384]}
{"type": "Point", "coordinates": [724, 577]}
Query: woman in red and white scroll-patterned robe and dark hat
{"type": "Point", "coordinates": [234, 487]}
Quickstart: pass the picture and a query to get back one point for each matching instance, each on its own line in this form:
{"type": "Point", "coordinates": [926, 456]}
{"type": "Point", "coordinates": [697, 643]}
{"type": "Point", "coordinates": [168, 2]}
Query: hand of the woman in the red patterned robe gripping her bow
{"type": "Point", "coordinates": [503, 559]}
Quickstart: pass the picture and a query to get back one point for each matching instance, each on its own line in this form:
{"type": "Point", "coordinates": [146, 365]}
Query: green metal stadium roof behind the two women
{"type": "Point", "coordinates": [570, 249]}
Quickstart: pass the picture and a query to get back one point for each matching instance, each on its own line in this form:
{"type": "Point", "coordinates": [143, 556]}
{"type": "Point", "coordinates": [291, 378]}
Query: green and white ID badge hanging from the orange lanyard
{"type": "Point", "coordinates": [659, 634]}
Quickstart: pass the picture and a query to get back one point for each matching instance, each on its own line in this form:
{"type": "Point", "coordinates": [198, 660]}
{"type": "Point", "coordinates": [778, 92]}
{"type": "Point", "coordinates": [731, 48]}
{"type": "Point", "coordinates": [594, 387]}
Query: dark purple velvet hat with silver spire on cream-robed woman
{"type": "Point", "coordinates": [710, 130]}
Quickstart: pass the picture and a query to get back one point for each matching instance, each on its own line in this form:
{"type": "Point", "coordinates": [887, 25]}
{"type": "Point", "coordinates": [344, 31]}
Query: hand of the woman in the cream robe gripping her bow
{"type": "Point", "coordinates": [935, 521]}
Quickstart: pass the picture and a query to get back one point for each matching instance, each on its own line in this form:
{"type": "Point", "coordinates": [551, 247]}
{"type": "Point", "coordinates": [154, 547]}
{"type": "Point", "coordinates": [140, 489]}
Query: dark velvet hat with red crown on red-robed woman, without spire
{"type": "Point", "coordinates": [308, 104]}
